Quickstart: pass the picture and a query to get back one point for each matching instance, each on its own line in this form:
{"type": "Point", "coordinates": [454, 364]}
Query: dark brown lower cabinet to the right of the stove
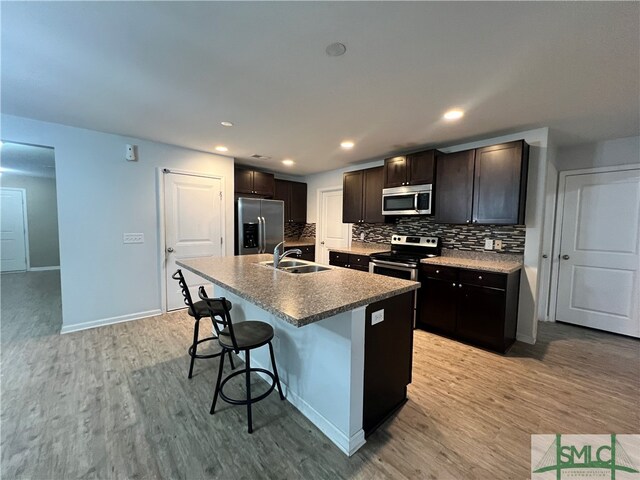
{"type": "Point", "coordinates": [475, 306]}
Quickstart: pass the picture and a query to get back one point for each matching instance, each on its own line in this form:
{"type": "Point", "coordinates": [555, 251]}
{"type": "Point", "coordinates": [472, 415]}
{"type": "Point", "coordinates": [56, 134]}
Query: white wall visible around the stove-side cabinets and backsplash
{"type": "Point", "coordinates": [535, 211]}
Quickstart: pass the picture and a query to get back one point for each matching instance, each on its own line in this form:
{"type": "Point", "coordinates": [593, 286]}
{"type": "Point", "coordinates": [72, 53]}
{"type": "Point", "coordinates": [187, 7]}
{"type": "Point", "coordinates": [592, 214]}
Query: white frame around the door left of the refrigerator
{"type": "Point", "coordinates": [162, 244]}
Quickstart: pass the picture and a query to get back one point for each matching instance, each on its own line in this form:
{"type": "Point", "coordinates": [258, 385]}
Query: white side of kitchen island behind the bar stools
{"type": "Point", "coordinates": [321, 368]}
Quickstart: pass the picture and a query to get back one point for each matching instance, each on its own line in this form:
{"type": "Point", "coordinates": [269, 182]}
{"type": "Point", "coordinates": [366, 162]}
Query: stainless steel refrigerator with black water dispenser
{"type": "Point", "coordinates": [259, 225]}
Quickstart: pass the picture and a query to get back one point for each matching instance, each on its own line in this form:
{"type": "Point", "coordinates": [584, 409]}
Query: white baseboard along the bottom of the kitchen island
{"type": "Point", "coordinates": [348, 445]}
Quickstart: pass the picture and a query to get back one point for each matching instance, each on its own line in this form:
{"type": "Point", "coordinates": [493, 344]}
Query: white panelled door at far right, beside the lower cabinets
{"type": "Point", "coordinates": [599, 262]}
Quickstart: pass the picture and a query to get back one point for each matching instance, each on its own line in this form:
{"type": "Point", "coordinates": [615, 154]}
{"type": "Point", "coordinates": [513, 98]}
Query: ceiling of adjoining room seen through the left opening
{"type": "Point", "coordinates": [27, 160]}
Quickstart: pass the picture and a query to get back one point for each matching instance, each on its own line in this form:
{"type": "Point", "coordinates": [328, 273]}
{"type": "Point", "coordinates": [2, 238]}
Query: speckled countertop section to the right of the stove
{"type": "Point", "coordinates": [488, 262]}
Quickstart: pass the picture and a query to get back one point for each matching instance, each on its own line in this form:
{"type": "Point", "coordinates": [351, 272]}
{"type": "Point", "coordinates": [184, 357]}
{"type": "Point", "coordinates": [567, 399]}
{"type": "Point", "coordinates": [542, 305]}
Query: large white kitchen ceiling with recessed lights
{"type": "Point", "coordinates": [172, 71]}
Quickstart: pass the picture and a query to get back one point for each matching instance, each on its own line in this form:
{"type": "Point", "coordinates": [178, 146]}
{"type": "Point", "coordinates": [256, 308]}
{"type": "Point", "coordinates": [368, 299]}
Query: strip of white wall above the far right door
{"type": "Point", "coordinates": [619, 151]}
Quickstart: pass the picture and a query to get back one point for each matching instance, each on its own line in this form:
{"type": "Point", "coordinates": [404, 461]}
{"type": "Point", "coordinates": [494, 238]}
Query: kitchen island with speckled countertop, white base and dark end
{"type": "Point", "coordinates": [343, 338]}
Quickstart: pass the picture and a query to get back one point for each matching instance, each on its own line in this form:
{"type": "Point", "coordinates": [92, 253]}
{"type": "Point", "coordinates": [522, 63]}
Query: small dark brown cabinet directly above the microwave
{"type": "Point", "coordinates": [414, 169]}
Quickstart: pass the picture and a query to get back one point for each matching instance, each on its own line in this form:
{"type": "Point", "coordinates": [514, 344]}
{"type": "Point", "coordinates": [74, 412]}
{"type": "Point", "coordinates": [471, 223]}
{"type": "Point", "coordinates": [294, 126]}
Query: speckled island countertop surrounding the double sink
{"type": "Point", "coordinates": [299, 299]}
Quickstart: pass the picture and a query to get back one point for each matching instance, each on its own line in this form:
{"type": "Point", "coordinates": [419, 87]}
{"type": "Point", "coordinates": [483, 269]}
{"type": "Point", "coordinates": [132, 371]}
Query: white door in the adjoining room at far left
{"type": "Point", "coordinates": [13, 248]}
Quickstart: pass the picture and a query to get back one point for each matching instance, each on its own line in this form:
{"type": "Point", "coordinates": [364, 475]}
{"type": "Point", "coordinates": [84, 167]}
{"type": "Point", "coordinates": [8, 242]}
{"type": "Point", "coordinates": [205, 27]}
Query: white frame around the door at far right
{"type": "Point", "coordinates": [555, 266]}
